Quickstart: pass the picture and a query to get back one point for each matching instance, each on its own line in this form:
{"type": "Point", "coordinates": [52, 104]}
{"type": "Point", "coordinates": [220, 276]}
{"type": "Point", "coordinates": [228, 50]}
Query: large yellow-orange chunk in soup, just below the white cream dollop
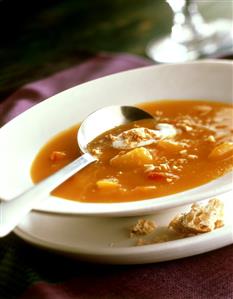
{"type": "Point", "coordinates": [132, 159]}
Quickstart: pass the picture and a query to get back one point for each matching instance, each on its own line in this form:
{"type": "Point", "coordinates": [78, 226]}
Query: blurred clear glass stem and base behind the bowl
{"type": "Point", "coordinates": [191, 37]}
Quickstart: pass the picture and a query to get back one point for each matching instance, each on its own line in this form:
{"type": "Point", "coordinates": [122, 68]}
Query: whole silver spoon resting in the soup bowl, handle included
{"type": "Point", "coordinates": [13, 211]}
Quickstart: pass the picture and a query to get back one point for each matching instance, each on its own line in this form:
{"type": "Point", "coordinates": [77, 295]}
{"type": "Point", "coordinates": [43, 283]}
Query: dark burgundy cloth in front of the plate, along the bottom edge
{"type": "Point", "coordinates": [209, 275]}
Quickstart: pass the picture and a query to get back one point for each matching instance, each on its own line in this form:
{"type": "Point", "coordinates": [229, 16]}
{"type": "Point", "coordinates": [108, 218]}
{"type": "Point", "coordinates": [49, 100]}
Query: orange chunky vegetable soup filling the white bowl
{"type": "Point", "coordinates": [187, 144]}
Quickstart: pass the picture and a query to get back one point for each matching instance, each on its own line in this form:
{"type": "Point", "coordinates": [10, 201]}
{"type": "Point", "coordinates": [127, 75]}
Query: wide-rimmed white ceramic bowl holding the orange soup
{"type": "Point", "coordinates": [21, 138]}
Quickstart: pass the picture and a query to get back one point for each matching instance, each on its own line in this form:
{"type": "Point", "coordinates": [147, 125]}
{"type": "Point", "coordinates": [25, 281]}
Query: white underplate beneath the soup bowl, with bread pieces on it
{"type": "Point", "coordinates": [106, 240]}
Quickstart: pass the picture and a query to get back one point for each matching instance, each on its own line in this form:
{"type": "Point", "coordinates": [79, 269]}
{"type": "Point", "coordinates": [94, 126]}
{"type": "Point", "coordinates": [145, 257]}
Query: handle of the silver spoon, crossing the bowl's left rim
{"type": "Point", "coordinates": [13, 211]}
